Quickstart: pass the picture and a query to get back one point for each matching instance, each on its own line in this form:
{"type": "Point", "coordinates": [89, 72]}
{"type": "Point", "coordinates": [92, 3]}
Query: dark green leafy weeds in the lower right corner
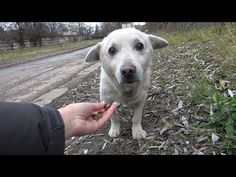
{"type": "Point", "coordinates": [223, 120]}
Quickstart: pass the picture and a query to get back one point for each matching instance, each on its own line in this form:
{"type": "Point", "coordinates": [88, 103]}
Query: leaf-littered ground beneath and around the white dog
{"type": "Point", "coordinates": [170, 118]}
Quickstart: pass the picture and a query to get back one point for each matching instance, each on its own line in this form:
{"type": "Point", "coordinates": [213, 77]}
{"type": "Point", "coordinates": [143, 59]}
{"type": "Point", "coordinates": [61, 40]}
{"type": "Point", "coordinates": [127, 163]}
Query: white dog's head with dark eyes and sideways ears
{"type": "Point", "coordinates": [126, 54]}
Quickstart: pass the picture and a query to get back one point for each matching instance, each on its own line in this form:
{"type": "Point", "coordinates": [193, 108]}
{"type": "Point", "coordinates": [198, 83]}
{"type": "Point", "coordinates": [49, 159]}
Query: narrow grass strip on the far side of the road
{"type": "Point", "coordinates": [7, 57]}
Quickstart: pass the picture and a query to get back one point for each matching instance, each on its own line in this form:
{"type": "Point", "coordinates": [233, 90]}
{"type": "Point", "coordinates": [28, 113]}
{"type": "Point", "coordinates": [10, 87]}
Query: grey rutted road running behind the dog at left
{"type": "Point", "coordinates": [43, 80]}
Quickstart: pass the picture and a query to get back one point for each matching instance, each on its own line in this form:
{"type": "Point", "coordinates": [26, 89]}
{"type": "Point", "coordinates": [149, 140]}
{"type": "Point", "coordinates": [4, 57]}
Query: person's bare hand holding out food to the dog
{"type": "Point", "coordinates": [78, 118]}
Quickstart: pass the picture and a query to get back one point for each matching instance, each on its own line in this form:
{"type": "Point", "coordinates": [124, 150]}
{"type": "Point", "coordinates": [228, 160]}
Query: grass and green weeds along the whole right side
{"type": "Point", "coordinates": [206, 86]}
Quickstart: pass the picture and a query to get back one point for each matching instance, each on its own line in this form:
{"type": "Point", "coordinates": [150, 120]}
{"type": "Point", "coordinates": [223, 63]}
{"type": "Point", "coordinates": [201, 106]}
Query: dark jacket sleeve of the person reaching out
{"type": "Point", "coordinates": [30, 129]}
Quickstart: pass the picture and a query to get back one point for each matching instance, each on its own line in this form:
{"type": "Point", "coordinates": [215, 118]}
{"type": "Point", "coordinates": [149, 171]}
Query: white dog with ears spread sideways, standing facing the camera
{"type": "Point", "coordinates": [126, 59]}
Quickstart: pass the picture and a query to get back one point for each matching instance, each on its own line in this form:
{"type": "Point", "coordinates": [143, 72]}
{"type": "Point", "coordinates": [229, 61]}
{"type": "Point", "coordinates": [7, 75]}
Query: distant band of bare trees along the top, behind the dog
{"type": "Point", "coordinates": [14, 35]}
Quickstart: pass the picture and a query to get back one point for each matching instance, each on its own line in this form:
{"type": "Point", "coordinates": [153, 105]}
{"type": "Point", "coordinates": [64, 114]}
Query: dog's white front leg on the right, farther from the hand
{"type": "Point", "coordinates": [137, 130]}
